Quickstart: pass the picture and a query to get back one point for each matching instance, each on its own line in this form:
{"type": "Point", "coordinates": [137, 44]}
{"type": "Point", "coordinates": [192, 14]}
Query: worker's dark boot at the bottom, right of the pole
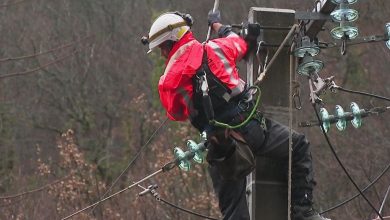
{"type": "Point", "coordinates": [303, 210]}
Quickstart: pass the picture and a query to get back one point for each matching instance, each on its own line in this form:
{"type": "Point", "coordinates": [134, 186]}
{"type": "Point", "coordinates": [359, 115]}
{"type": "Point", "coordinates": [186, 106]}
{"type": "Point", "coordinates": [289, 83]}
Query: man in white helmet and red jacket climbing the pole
{"type": "Point", "coordinates": [201, 83]}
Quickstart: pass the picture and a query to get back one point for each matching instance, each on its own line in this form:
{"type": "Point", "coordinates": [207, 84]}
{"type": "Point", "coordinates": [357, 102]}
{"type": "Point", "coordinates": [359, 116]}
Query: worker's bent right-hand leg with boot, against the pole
{"type": "Point", "coordinates": [276, 146]}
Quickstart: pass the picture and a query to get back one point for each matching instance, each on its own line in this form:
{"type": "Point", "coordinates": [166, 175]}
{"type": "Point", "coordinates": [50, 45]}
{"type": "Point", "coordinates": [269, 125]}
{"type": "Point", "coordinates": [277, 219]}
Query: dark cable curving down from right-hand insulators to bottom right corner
{"type": "Point", "coordinates": [342, 165]}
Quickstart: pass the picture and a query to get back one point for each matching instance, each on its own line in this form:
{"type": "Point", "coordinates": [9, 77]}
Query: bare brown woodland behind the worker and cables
{"type": "Point", "coordinates": [78, 100]}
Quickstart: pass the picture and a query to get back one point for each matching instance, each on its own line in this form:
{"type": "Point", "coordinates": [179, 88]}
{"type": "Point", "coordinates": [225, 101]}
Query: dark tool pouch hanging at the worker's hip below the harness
{"type": "Point", "coordinates": [238, 163]}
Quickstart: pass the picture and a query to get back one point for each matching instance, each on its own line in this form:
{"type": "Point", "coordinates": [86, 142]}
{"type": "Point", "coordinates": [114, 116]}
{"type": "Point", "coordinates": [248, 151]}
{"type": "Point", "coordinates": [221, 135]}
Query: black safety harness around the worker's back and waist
{"type": "Point", "coordinates": [212, 96]}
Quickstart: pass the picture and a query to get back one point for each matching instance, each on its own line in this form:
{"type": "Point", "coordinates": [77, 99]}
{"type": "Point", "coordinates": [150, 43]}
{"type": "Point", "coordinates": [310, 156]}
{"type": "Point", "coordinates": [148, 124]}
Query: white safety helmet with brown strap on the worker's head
{"type": "Point", "coordinates": [168, 26]}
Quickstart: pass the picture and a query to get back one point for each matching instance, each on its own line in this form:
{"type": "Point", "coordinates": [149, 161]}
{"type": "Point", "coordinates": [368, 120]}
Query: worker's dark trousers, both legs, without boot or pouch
{"type": "Point", "coordinates": [270, 142]}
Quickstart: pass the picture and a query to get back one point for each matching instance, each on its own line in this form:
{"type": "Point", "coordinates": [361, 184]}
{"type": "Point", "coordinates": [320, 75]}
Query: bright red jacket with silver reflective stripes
{"type": "Point", "coordinates": [175, 86]}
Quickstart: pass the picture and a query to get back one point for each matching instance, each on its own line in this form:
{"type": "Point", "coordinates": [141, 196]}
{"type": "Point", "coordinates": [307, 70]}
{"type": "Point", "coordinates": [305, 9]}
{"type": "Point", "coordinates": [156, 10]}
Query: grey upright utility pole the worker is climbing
{"type": "Point", "coordinates": [268, 186]}
